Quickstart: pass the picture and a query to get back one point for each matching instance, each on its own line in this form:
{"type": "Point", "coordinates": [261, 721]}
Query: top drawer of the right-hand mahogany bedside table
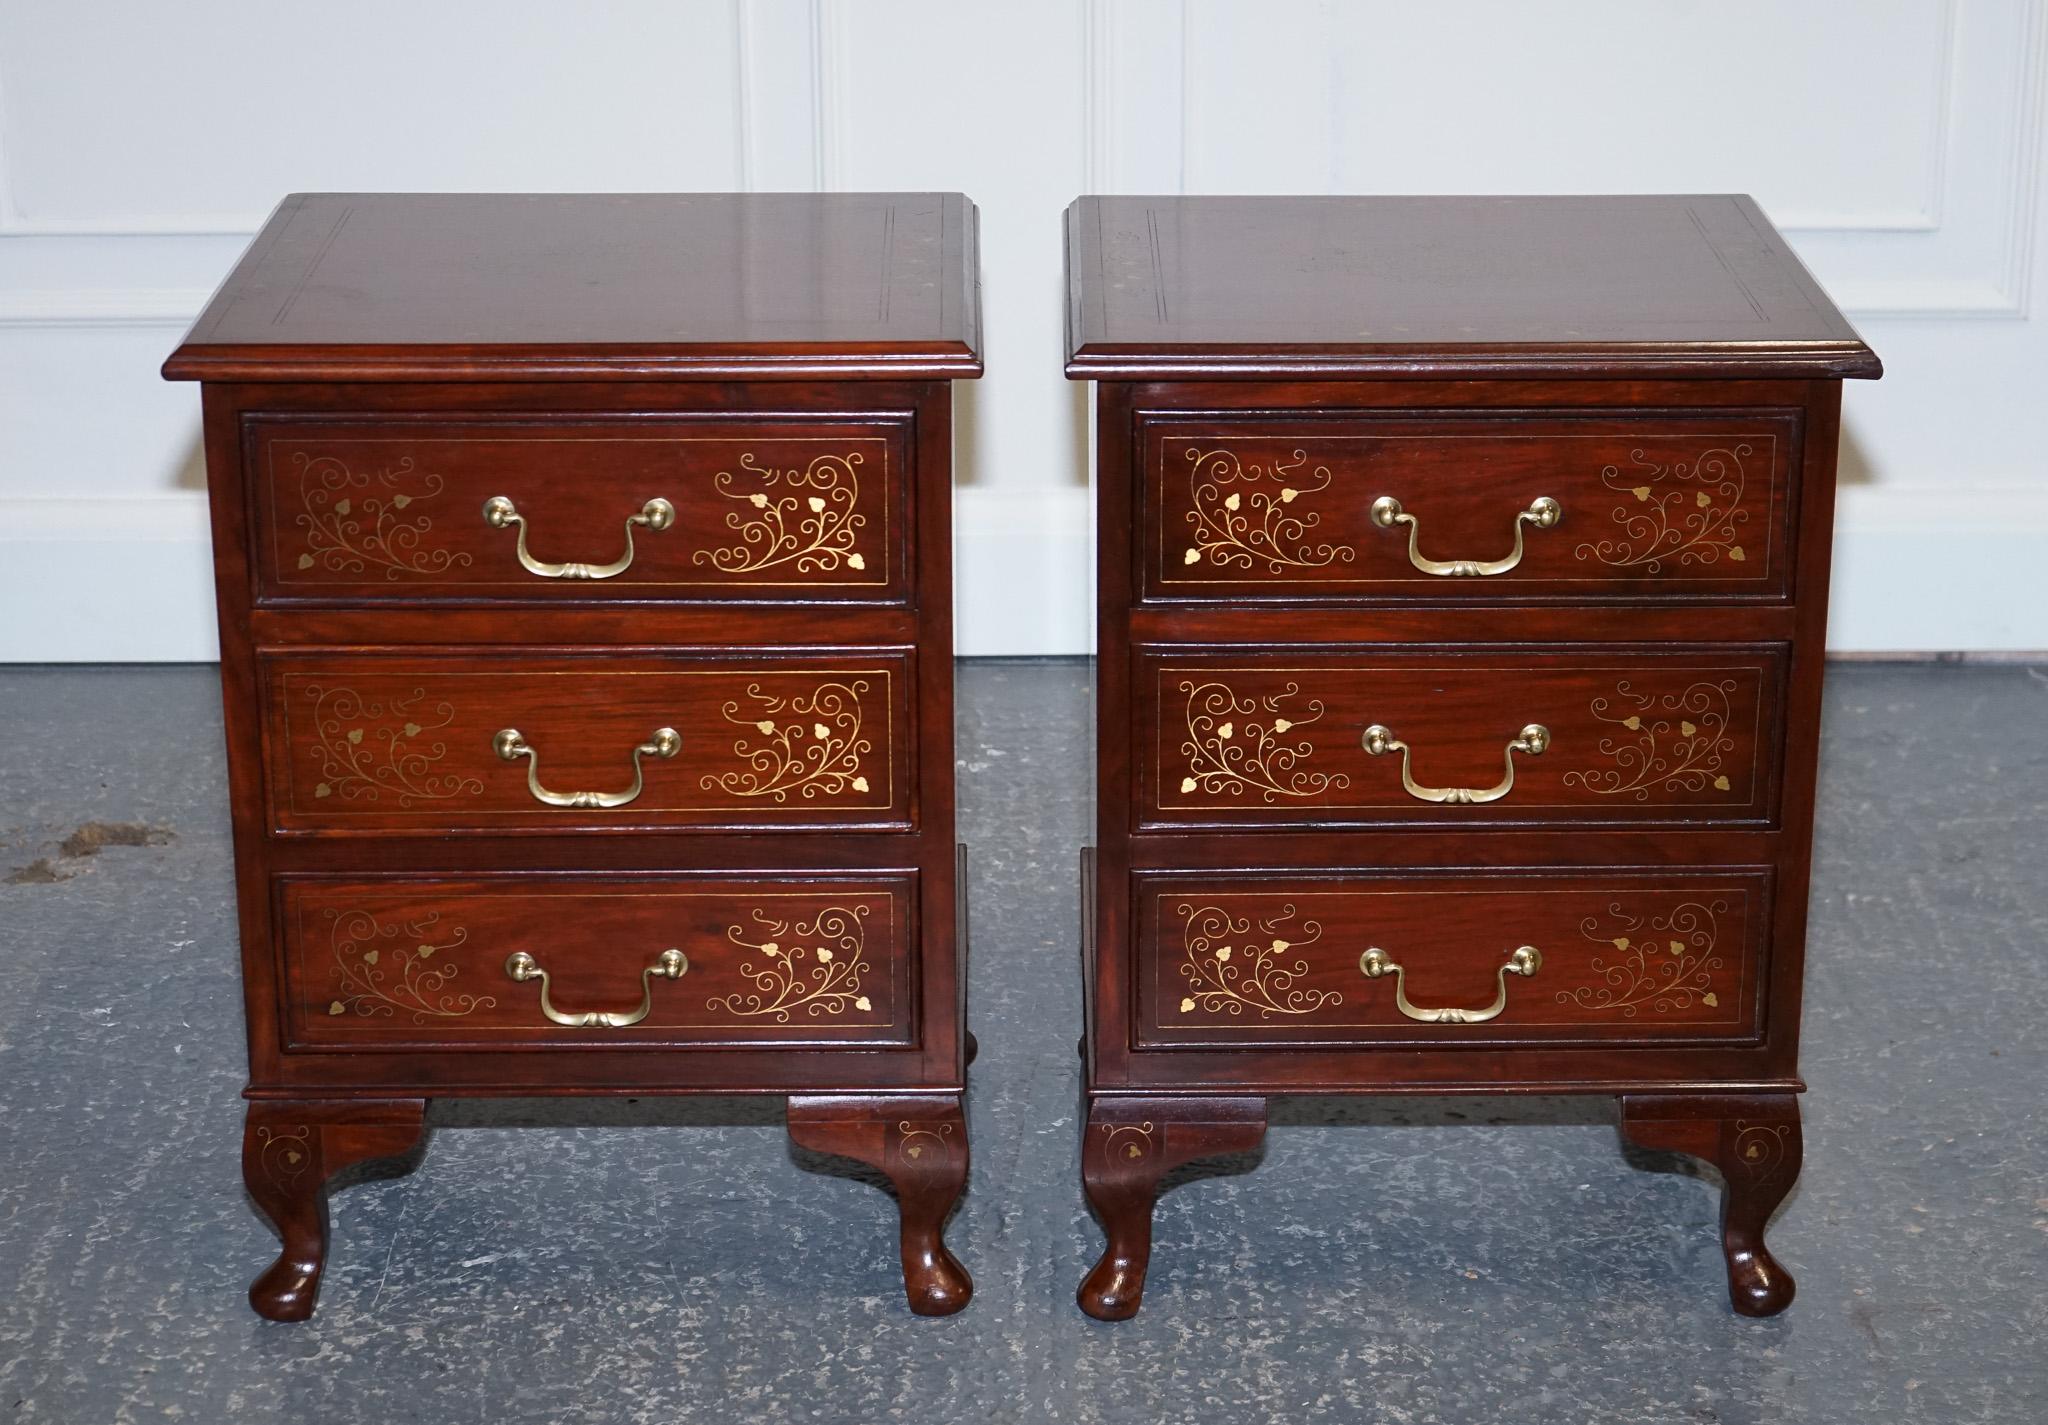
{"type": "Point", "coordinates": [1326, 509]}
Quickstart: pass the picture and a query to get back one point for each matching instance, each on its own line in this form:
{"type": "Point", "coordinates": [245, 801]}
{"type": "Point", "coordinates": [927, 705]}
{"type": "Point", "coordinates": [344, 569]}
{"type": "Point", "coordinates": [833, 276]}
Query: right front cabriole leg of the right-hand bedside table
{"type": "Point", "coordinates": [1756, 1146]}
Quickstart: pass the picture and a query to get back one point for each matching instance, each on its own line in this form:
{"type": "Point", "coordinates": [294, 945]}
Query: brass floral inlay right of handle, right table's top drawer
{"type": "Point", "coordinates": [1674, 513]}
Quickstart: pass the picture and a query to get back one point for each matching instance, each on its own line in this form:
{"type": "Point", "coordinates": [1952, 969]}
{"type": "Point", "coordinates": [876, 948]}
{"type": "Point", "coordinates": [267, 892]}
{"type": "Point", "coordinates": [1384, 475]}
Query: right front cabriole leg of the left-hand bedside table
{"type": "Point", "coordinates": [921, 1146]}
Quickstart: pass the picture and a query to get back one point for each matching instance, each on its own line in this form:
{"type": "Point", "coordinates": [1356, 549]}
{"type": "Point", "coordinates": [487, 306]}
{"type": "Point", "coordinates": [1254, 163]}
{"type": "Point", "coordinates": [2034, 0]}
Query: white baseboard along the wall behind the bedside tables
{"type": "Point", "coordinates": [128, 580]}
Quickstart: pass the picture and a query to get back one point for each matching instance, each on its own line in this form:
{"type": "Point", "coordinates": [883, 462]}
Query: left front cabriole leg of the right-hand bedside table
{"type": "Point", "coordinates": [1129, 1146]}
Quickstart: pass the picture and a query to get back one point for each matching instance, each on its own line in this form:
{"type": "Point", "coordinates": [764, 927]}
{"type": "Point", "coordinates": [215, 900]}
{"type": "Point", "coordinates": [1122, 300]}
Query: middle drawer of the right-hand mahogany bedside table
{"type": "Point", "coordinates": [1240, 738]}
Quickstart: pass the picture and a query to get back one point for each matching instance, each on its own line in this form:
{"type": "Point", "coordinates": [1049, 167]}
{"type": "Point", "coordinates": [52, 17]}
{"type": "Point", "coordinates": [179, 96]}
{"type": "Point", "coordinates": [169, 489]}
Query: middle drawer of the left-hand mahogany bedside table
{"type": "Point", "coordinates": [521, 742]}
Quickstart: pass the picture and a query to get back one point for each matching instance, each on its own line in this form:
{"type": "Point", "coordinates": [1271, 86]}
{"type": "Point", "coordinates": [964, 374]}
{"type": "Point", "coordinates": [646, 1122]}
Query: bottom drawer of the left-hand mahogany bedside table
{"type": "Point", "coordinates": [767, 959]}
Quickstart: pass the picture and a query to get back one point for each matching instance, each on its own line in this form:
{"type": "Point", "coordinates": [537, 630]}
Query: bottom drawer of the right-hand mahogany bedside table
{"type": "Point", "coordinates": [1281, 961]}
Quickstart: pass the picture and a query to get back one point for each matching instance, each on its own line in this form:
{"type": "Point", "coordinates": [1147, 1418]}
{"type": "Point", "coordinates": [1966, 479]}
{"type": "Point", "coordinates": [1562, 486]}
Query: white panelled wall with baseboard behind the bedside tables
{"type": "Point", "coordinates": [1897, 142]}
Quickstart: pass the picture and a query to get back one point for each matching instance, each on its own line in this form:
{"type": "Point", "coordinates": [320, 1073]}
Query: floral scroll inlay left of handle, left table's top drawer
{"type": "Point", "coordinates": [357, 521]}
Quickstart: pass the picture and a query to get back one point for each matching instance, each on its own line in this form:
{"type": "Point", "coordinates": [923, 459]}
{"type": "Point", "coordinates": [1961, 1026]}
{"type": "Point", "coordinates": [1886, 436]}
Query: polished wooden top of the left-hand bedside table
{"type": "Point", "coordinates": [507, 286]}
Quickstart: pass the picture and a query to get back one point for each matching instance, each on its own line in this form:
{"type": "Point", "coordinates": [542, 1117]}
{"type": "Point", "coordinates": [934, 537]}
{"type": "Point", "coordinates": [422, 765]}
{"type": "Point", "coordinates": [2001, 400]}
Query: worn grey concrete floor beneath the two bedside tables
{"type": "Point", "coordinates": [1412, 1262]}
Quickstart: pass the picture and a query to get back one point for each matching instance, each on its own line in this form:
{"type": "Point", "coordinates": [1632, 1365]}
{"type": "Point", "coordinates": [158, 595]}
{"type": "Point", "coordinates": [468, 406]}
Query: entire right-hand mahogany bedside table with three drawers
{"type": "Point", "coordinates": [1463, 591]}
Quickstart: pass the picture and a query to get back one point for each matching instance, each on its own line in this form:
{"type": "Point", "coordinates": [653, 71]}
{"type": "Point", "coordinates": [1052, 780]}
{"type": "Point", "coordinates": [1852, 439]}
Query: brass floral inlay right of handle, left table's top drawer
{"type": "Point", "coordinates": [798, 517]}
